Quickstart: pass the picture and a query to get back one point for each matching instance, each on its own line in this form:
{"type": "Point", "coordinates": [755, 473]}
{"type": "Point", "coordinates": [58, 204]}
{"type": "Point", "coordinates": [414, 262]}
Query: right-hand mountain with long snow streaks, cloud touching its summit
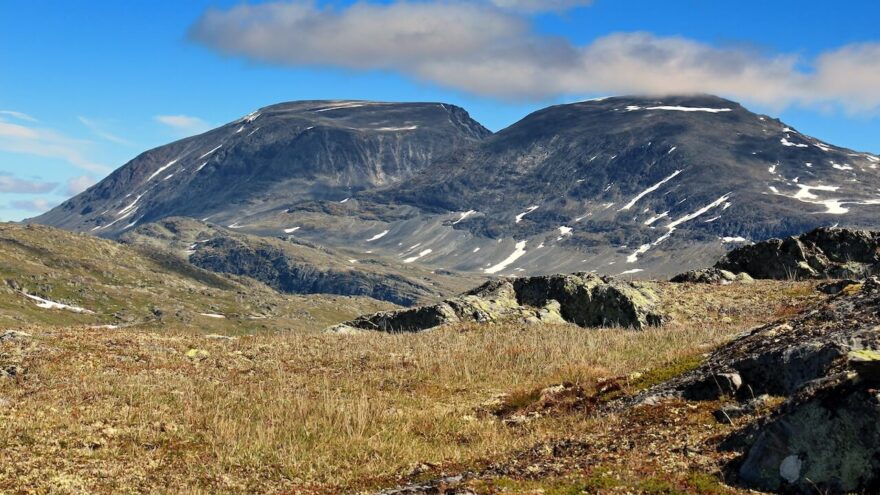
{"type": "Point", "coordinates": [624, 185]}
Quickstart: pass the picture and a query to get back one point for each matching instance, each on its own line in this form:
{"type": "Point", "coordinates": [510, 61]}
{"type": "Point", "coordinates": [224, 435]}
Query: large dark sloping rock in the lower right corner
{"type": "Point", "coordinates": [825, 437]}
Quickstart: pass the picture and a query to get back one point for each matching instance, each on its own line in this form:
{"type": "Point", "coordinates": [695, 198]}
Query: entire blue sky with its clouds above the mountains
{"type": "Point", "coordinates": [86, 86]}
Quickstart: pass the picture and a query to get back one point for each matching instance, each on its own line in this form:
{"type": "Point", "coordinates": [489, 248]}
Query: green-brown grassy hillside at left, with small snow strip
{"type": "Point", "coordinates": [120, 285]}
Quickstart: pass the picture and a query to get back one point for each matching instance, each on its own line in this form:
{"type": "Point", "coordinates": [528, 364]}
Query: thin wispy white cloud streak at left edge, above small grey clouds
{"type": "Point", "coordinates": [46, 143]}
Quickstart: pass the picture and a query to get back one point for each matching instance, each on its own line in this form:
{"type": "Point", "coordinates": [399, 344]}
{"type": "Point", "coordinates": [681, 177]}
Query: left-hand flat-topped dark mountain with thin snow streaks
{"type": "Point", "coordinates": [273, 157]}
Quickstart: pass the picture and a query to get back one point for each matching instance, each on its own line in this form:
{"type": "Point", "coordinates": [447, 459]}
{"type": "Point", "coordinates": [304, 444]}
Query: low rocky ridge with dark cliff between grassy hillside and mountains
{"type": "Point", "coordinates": [292, 265]}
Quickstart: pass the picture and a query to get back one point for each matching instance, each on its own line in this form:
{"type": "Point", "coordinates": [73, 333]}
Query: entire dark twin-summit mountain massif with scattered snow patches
{"type": "Point", "coordinates": [636, 186]}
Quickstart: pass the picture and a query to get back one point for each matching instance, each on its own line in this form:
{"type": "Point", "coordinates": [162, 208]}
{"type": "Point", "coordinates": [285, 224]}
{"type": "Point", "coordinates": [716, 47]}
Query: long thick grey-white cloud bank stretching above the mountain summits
{"type": "Point", "coordinates": [482, 49]}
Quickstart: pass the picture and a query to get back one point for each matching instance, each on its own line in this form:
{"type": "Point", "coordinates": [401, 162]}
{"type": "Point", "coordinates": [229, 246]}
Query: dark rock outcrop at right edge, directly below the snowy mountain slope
{"type": "Point", "coordinates": [821, 253]}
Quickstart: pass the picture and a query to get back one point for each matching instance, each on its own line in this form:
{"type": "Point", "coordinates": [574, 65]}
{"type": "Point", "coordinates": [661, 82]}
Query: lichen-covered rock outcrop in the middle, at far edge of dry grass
{"type": "Point", "coordinates": [583, 299]}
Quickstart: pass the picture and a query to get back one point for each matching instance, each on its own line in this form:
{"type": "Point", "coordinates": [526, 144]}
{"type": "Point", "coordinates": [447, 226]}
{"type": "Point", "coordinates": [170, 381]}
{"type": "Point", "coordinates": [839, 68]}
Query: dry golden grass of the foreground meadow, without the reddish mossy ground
{"type": "Point", "coordinates": [118, 411]}
